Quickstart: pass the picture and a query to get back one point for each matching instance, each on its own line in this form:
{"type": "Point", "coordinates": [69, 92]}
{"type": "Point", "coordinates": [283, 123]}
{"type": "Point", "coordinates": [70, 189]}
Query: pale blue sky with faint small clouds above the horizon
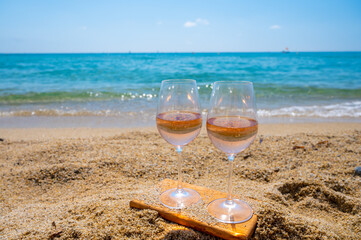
{"type": "Point", "coordinates": [86, 26]}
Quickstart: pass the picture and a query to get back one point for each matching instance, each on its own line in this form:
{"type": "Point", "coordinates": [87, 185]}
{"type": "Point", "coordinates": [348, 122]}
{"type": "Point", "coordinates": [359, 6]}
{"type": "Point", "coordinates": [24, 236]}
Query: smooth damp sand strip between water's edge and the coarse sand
{"type": "Point", "coordinates": [269, 129]}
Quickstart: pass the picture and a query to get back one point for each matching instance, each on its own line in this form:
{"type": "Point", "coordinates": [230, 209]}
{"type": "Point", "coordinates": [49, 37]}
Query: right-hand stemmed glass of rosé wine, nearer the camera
{"type": "Point", "coordinates": [232, 126]}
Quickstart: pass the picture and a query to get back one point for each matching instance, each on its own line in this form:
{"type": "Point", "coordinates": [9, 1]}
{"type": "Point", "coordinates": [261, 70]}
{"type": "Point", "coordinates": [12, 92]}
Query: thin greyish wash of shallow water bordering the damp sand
{"type": "Point", "coordinates": [138, 121]}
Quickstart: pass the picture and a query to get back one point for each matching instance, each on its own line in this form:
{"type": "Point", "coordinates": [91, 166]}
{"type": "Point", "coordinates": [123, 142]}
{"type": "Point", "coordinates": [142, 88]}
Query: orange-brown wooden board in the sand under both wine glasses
{"type": "Point", "coordinates": [226, 231]}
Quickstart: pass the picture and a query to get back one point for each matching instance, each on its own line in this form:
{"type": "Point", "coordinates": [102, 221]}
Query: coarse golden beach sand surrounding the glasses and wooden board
{"type": "Point", "coordinates": [77, 183]}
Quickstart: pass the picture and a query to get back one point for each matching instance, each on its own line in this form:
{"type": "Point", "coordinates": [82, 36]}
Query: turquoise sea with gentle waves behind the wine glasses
{"type": "Point", "coordinates": [121, 89]}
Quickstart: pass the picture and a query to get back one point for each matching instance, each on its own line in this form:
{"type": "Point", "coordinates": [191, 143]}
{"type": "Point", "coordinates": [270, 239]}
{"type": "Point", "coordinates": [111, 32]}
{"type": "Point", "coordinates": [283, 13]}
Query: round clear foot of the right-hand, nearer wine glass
{"type": "Point", "coordinates": [230, 211]}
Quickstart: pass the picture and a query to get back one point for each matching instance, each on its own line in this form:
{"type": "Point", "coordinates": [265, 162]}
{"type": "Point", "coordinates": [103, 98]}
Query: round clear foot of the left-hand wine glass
{"type": "Point", "coordinates": [179, 198]}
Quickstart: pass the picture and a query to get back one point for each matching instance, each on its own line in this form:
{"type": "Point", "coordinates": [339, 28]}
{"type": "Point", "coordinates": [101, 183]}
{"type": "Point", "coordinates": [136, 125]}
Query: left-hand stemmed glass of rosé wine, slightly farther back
{"type": "Point", "coordinates": [179, 121]}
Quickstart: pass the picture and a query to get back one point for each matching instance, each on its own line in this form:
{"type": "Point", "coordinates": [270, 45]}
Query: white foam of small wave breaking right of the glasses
{"type": "Point", "coordinates": [347, 109]}
